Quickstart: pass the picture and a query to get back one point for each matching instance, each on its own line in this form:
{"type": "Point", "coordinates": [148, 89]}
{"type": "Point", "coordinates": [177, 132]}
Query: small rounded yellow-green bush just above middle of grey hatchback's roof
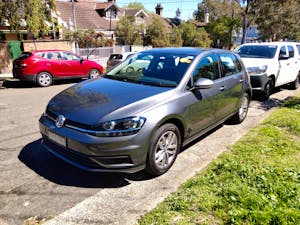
{"type": "Point", "coordinates": [193, 36]}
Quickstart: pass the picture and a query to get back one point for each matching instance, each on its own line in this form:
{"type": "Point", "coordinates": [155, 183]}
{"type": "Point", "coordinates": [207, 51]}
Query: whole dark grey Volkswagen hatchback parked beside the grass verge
{"type": "Point", "coordinates": [142, 111]}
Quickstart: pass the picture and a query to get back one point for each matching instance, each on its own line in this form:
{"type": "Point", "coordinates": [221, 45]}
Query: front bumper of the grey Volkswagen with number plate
{"type": "Point", "coordinates": [97, 154]}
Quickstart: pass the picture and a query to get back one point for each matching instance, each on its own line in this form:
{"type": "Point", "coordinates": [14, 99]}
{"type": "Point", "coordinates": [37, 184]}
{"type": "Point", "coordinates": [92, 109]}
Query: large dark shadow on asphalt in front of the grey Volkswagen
{"type": "Point", "coordinates": [42, 162]}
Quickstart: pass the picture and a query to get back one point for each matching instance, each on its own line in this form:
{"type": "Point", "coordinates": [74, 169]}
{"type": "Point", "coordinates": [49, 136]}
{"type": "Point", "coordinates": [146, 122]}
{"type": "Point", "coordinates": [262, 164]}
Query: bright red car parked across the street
{"type": "Point", "coordinates": [44, 66]}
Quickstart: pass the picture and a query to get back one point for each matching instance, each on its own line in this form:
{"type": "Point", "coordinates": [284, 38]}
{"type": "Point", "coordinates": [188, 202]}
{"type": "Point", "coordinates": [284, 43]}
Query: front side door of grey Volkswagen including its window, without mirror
{"type": "Point", "coordinates": [202, 104]}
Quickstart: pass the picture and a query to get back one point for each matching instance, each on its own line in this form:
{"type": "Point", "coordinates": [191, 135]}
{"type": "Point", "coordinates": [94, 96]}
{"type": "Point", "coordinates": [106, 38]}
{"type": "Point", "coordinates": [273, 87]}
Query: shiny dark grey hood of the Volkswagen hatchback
{"type": "Point", "coordinates": [99, 100]}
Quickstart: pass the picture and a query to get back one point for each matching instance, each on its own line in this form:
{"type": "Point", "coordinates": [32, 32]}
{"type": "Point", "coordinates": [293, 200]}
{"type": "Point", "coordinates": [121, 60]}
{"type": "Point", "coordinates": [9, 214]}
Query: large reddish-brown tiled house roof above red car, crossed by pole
{"type": "Point", "coordinates": [86, 15]}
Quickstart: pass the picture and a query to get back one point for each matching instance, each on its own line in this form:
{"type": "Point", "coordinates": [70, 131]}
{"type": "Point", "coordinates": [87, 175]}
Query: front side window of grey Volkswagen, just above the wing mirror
{"type": "Point", "coordinates": [207, 68]}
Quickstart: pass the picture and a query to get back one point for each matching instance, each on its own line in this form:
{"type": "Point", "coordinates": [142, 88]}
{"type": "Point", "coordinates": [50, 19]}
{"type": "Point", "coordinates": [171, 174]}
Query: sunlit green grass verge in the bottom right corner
{"type": "Point", "coordinates": [256, 182]}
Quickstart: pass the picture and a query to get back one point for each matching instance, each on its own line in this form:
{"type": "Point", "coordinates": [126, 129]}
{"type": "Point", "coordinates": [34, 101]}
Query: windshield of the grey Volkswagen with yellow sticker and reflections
{"type": "Point", "coordinates": [158, 69]}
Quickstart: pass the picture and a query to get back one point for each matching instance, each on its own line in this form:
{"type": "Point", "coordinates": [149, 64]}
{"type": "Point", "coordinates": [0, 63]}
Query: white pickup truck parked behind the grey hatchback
{"type": "Point", "coordinates": [271, 64]}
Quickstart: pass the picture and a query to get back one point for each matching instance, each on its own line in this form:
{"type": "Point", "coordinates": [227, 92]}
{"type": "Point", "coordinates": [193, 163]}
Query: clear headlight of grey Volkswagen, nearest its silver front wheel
{"type": "Point", "coordinates": [120, 127]}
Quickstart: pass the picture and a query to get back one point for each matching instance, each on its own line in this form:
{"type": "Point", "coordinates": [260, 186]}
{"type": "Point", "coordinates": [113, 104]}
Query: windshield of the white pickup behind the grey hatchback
{"type": "Point", "coordinates": [257, 51]}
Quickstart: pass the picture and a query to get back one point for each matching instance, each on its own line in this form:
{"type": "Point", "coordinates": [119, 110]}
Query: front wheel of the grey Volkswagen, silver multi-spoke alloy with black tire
{"type": "Point", "coordinates": [163, 149]}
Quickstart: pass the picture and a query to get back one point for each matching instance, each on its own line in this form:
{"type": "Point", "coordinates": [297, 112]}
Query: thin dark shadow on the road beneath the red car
{"type": "Point", "coordinates": [15, 83]}
